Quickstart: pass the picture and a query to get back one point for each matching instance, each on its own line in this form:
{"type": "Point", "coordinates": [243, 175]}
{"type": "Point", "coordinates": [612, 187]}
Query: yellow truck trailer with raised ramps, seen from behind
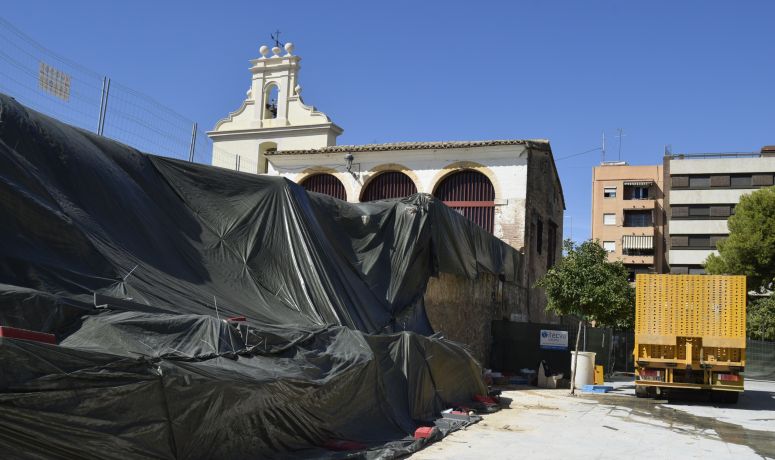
{"type": "Point", "coordinates": [690, 334]}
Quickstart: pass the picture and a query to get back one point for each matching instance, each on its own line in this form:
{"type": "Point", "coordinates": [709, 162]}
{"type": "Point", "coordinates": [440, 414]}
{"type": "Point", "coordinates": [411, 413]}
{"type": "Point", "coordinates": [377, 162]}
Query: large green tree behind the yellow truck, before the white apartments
{"type": "Point", "coordinates": [750, 248]}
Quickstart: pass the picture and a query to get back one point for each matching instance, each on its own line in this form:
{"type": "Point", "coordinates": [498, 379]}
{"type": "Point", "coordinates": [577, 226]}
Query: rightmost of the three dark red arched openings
{"type": "Point", "coordinates": [471, 194]}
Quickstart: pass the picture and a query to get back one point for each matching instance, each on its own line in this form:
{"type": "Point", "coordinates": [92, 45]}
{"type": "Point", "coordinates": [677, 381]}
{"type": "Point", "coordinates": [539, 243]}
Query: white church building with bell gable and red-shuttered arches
{"type": "Point", "coordinates": [509, 187]}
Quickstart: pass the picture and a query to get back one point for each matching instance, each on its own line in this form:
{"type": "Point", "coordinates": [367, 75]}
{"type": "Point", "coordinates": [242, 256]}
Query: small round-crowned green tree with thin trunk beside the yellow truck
{"type": "Point", "coordinates": [586, 285]}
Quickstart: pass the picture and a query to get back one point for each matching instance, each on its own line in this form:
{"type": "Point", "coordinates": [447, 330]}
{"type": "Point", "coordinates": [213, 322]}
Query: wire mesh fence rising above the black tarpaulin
{"type": "Point", "coordinates": [44, 81]}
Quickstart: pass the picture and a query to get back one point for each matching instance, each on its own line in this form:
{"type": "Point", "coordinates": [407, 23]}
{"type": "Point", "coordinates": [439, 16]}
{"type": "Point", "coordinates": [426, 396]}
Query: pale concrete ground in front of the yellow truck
{"type": "Point", "coordinates": [539, 423]}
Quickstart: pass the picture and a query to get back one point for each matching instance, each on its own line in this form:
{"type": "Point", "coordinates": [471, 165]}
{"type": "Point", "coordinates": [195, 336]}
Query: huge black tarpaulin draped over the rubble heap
{"type": "Point", "coordinates": [207, 313]}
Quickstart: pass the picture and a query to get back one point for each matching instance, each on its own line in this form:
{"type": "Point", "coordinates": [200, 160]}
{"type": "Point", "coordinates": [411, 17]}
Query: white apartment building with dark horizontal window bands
{"type": "Point", "coordinates": [701, 193]}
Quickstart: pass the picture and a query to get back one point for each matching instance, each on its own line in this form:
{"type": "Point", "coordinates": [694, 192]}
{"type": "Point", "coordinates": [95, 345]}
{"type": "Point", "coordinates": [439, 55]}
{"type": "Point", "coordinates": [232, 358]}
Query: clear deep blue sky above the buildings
{"type": "Point", "coordinates": [698, 75]}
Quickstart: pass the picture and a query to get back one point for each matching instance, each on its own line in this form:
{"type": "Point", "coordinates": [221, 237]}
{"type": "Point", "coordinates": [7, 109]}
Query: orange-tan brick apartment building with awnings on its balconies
{"type": "Point", "coordinates": [628, 216]}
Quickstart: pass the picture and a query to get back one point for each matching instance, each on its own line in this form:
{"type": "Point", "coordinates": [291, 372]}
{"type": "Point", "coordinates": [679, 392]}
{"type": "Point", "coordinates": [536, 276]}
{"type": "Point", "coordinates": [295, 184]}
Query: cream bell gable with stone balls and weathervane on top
{"type": "Point", "coordinates": [273, 116]}
